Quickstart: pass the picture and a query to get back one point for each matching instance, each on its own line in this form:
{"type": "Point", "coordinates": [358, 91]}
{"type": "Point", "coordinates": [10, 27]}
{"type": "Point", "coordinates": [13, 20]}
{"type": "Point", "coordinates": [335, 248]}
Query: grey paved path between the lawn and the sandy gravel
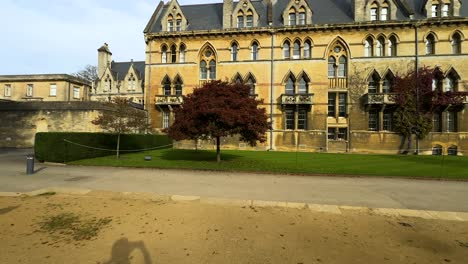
{"type": "Point", "coordinates": [367, 192]}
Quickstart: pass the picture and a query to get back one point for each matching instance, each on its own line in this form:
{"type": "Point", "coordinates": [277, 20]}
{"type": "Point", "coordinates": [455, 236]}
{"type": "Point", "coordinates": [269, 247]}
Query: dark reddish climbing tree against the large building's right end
{"type": "Point", "coordinates": [417, 100]}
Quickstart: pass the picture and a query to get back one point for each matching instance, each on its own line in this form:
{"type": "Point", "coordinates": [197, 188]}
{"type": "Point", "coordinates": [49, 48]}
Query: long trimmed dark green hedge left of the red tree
{"type": "Point", "coordinates": [52, 146]}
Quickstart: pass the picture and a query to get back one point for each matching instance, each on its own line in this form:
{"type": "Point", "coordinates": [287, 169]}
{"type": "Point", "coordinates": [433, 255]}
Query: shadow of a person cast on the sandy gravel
{"type": "Point", "coordinates": [122, 248]}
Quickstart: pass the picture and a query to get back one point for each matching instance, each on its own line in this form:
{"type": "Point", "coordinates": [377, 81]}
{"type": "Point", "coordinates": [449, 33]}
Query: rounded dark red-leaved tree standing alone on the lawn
{"type": "Point", "coordinates": [220, 109]}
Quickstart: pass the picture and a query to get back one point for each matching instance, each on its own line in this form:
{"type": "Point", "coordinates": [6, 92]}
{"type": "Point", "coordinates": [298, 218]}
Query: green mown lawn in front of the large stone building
{"type": "Point", "coordinates": [292, 162]}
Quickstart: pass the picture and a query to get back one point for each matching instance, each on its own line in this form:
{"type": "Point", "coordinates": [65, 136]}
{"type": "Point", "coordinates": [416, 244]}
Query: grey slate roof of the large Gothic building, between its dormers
{"type": "Point", "coordinates": [210, 16]}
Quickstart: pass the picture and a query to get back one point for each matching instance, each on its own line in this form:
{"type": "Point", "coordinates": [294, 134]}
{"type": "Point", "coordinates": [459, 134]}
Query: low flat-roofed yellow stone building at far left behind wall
{"type": "Point", "coordinates": [43, 87]}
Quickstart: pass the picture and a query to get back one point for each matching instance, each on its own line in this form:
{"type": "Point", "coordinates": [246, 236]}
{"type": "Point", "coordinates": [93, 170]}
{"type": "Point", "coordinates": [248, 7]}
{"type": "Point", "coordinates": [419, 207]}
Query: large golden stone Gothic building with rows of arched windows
{"type": "Point", "coordinates": [302, 58]}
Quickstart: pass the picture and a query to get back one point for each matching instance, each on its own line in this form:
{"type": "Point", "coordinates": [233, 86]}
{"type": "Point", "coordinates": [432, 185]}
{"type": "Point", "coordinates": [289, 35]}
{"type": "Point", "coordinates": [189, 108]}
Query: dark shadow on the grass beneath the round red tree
{"type": "Point", "coordinates": [197, 155]}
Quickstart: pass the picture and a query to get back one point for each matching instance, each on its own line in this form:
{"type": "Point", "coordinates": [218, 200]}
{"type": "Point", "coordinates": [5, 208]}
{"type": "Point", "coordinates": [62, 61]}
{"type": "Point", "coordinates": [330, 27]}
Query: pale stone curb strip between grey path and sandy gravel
{"type": "Point", "coordinates": [315, 208]}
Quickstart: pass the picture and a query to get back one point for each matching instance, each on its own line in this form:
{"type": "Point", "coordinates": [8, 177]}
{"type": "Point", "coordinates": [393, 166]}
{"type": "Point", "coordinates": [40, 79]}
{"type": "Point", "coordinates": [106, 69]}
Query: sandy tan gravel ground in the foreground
{"type": "Point", "coordinates": [146, 231]}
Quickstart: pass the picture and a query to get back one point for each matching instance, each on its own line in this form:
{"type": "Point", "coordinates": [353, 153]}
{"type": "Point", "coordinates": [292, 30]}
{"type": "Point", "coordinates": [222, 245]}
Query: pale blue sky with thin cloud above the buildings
{"type": "Point", "coordinates": [62, 36]}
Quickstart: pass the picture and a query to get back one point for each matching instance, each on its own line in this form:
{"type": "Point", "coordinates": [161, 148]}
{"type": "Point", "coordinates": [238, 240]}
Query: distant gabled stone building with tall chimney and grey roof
{"type": "Point", "coordinates": [122, 79]}
